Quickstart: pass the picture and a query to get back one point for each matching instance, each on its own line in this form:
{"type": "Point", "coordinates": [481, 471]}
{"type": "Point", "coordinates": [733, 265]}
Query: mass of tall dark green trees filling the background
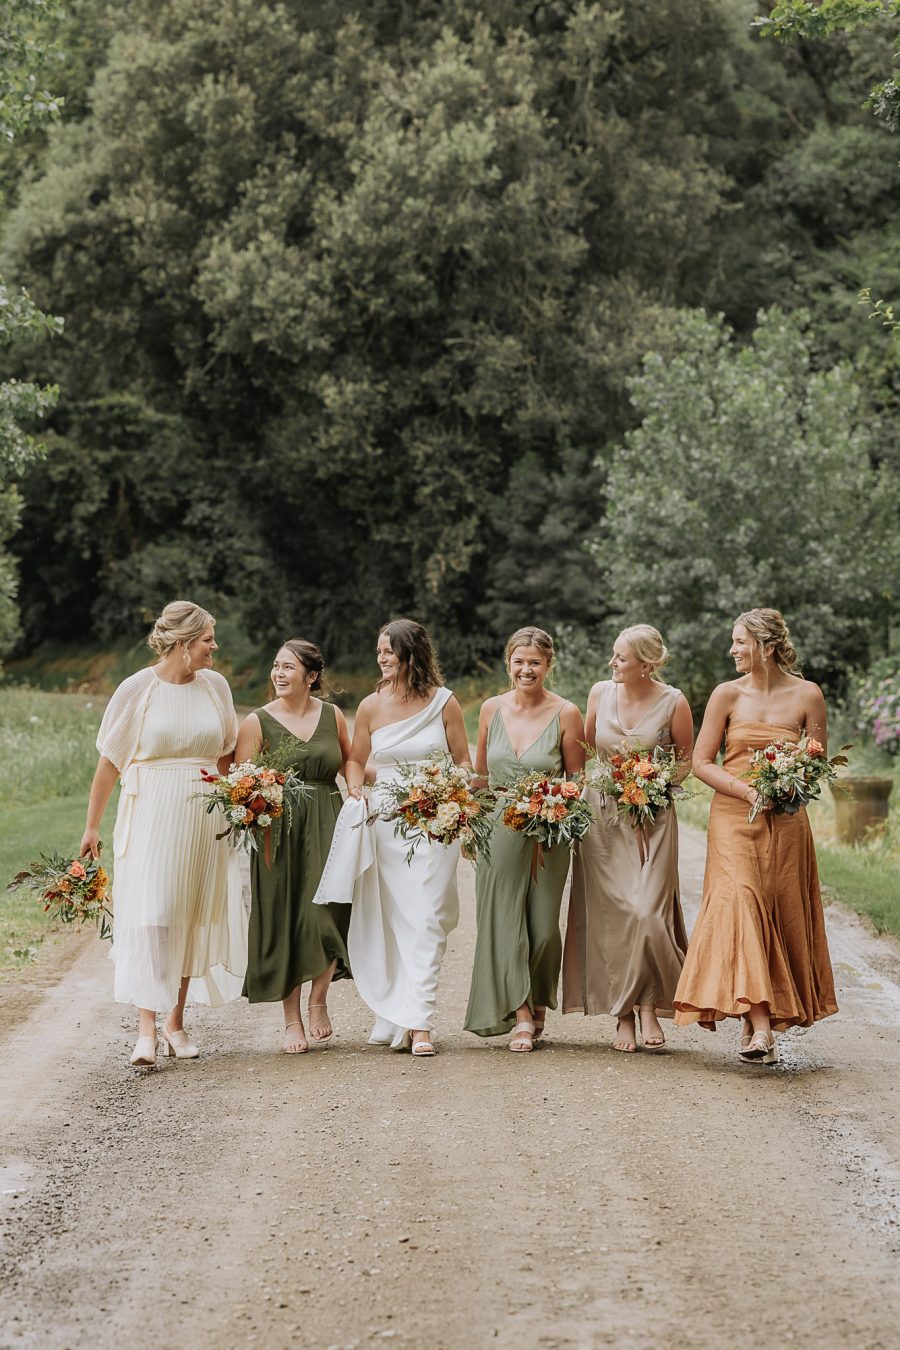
{"type": "Point", "coordinates": [353, 294]}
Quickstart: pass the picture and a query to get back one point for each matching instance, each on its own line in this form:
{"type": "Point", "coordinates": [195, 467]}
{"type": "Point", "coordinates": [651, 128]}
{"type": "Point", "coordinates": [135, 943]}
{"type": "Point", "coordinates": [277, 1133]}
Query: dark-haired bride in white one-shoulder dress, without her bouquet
{"type": "Point", "coordinates": [403, 912]}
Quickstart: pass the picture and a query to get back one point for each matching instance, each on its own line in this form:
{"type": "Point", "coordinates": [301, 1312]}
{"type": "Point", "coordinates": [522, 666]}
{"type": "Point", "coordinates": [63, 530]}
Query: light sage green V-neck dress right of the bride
{"type": "Point", "coordinates": [519, 950]}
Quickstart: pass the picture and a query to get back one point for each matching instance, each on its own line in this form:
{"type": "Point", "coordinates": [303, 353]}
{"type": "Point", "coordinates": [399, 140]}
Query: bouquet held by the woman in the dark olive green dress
{"type": "Point", "coordinates": [254, 801]}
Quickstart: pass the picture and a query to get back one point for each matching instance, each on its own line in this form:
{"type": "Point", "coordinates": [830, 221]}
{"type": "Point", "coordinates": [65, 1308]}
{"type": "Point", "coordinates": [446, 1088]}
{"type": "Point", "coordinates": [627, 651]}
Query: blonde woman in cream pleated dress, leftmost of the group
{"type": "Point", "coordinates": [179, 912]}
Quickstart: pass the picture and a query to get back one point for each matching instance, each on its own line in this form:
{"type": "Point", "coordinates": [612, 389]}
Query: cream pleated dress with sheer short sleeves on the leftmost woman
{"type": "Point", "coordinates": [177, 890]}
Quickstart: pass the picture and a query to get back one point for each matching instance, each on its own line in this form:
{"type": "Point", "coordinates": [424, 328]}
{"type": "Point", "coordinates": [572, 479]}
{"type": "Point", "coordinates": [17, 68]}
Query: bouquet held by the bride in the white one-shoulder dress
{"type": "Point", "coordinates": [434, 801]}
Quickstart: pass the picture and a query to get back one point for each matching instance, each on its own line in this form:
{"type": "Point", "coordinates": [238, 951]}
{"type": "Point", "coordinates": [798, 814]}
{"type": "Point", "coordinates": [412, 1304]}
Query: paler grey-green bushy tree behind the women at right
{"type": "Point", "coordinates": [748, 483]}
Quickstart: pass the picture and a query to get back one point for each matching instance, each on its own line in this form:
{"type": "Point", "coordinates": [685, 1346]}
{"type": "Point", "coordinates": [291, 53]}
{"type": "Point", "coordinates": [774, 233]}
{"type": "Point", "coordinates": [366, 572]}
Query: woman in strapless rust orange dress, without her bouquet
{"type": "Point", "coordinates": [759, 950]}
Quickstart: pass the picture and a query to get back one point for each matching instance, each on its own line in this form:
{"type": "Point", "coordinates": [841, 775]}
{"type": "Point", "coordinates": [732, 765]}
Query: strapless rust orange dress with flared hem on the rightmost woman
{"type": "Point", "coordinates": [760, 934]}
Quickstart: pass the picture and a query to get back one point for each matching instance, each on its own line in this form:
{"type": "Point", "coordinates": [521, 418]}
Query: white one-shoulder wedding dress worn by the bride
{"type": "Point", "coordinates": [403, 912]}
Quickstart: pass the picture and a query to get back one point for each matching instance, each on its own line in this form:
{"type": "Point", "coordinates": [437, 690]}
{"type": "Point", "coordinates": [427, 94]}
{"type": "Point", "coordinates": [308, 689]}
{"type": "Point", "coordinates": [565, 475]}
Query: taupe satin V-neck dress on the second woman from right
{"type": "Point", "coordinates": [625, 940]}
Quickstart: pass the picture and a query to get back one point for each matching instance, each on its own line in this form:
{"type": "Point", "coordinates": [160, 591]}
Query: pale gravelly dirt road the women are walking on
{"type": "Point", "coordinates": [356, 1197]}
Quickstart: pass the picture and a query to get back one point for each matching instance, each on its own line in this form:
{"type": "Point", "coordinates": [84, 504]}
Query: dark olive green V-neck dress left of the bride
{"type": "Point", "coordinates": [291, 939]}
